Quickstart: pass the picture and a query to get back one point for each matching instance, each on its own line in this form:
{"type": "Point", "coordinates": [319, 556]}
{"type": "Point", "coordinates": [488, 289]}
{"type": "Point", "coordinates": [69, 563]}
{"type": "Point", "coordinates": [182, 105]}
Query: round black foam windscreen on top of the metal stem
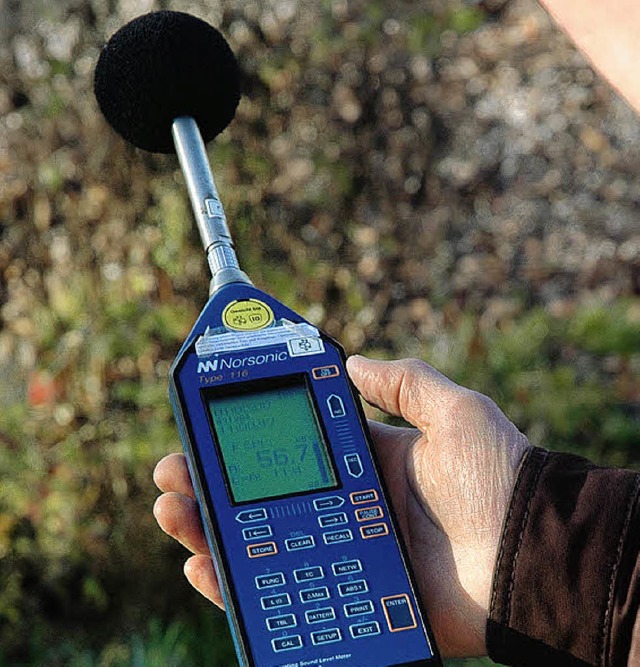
{"type": "Point", "coordinates": [163, 65]}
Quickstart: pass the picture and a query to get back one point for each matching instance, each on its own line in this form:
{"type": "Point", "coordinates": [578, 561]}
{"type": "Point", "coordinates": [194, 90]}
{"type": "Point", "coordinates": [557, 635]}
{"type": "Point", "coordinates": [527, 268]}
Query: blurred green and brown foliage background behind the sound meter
{"type": "Point", "coordinates": [444, 180]}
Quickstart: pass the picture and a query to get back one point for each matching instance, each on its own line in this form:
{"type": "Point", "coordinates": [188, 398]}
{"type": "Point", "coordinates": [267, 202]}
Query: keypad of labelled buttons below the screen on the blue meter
{"type": "Point", "coordinates": [310, 598]}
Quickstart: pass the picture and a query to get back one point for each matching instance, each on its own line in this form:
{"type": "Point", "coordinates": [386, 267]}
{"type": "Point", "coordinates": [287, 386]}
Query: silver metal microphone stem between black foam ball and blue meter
{"type": "Point", "coordinates": [207, 208]}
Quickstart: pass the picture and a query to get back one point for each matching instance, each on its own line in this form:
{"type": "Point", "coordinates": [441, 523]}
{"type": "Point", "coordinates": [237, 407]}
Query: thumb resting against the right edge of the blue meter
{"type": "Point", "coordinates": [408, 388]}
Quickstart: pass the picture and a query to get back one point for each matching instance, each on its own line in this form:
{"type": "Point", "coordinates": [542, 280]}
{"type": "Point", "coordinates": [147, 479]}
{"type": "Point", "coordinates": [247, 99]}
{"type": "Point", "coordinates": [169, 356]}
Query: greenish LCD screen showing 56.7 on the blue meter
{"type": "Point", "coordinates": [270, 440]}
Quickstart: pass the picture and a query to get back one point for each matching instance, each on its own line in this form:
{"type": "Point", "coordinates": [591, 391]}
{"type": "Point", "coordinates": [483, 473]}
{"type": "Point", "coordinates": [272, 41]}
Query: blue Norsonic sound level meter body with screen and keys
{"type": "Point", "coordinates": [305, 544]}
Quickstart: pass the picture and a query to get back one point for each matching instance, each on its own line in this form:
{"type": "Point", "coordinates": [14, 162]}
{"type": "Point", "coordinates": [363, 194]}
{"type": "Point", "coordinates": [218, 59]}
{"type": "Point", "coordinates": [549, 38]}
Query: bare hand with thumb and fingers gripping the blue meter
{"type": "Point", "coordinates": [450, 480]}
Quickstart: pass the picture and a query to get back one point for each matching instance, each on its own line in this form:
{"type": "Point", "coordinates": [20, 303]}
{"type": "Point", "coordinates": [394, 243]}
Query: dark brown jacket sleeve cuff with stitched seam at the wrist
{"type": "Point", "coordinates": [566, 587]}
